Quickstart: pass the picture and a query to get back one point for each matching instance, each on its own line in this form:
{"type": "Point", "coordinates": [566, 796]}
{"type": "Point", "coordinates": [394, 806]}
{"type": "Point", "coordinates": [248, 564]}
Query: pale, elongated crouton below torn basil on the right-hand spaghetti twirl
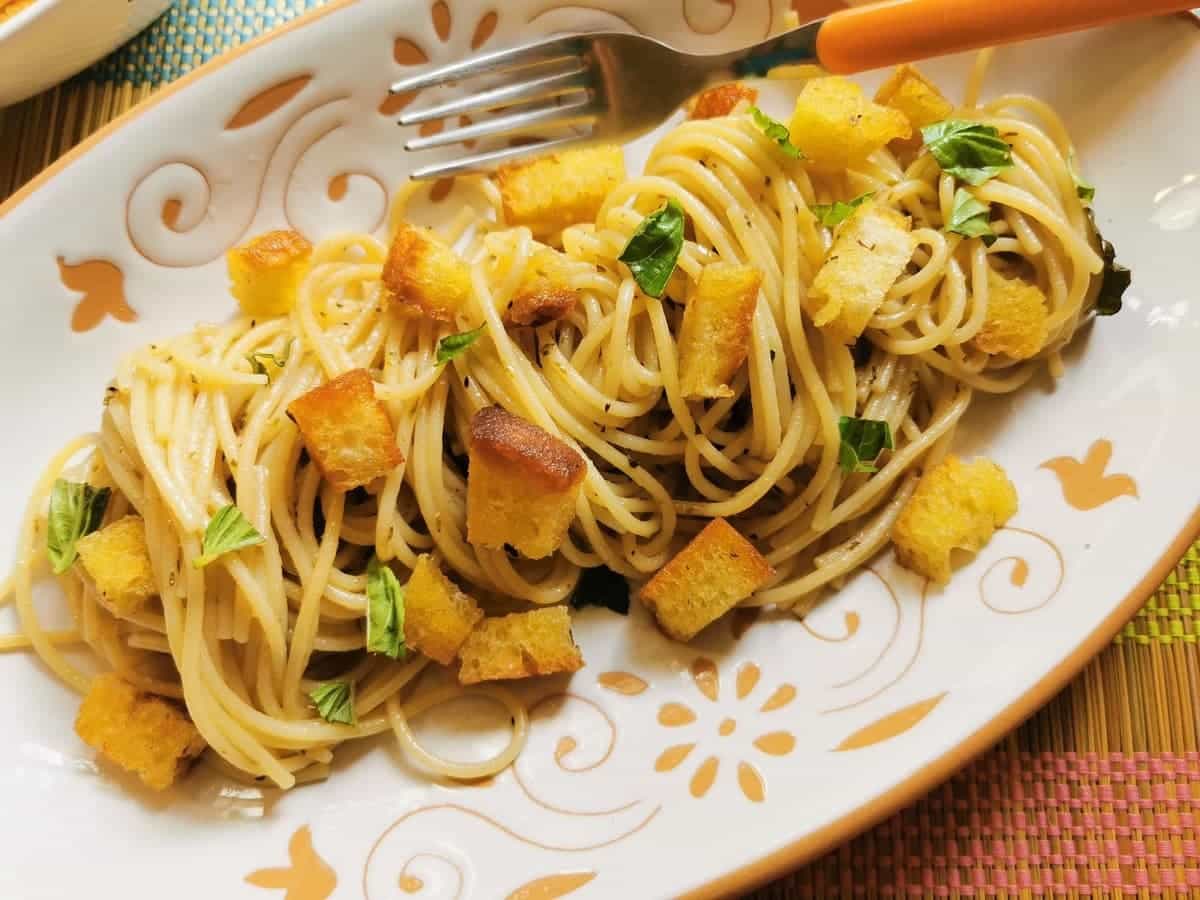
{"type": "Point", "coordinates": [871, 253]}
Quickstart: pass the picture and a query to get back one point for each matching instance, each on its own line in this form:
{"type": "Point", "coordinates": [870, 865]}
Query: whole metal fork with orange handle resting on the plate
{"type": "Point", "coordinates": [611, 88]}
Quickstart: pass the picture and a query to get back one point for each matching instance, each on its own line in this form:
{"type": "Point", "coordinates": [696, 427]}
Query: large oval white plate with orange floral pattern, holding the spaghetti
{"type": "Point", "coordinates": [785, 739]}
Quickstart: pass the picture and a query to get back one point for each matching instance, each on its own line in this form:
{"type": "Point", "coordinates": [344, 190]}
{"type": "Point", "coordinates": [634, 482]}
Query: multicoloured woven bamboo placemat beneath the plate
{"type": "Point", "coordinates": [1097, 796]}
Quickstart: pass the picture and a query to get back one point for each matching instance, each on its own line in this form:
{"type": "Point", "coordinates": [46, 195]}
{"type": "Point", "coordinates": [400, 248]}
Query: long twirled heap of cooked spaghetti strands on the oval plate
{"type": "Point", "coordinates": [189, 428]}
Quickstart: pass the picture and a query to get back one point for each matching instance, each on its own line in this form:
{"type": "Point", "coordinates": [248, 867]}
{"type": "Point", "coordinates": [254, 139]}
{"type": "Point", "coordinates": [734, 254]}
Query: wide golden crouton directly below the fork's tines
{"type": "Point", "coordinates": [553, 193]}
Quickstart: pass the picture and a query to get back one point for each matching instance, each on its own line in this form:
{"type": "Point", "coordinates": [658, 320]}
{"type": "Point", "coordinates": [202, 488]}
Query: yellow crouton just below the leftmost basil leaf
{"type": "Point", "coordinates": [118, 562]}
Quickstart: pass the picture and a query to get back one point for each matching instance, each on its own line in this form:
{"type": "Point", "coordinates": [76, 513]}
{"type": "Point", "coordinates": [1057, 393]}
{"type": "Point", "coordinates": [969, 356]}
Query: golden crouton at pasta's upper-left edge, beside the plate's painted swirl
{"type": "Point", "coordinates": [266, 273]}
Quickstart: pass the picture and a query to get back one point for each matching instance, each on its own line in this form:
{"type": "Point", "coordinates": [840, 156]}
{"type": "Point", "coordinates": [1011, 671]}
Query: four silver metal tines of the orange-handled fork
{"type": "Point", "coordinates": [553, 87]}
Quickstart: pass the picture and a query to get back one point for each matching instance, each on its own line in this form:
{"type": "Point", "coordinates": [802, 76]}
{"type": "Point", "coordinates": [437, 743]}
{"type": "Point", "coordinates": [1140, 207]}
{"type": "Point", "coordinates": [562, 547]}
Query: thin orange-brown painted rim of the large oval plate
{"type": "Point", "coordinates": [778, 863]}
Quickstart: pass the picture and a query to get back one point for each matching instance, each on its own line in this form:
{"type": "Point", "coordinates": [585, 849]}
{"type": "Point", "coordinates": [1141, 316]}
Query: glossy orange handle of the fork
{"type": "Point", "coordinates": [904, 31]}
